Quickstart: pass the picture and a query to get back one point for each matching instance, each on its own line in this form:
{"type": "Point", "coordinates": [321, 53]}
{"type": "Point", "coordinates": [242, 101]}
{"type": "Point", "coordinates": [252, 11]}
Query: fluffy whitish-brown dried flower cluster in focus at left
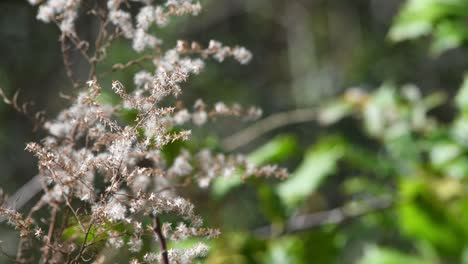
{"type": "Point", "coordinates": [111, 176]}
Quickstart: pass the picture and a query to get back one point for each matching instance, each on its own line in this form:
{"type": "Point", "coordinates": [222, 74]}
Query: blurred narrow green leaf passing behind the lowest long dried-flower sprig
{"type": "Point", "coordinates": [276, 150]}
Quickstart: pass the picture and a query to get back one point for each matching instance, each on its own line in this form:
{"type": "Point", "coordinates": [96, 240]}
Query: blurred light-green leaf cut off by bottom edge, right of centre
{"type": "Point", "coordinates": [378, 255]}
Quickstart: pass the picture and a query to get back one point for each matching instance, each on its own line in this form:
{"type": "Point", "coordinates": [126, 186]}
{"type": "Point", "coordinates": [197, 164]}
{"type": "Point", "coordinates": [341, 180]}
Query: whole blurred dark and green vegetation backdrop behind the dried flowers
{"type": "Point", "coordinates": [378, 171]}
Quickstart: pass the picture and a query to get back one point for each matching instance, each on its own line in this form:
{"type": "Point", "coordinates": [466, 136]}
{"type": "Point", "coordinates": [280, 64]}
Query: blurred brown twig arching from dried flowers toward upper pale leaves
{"type": "Point", "coordinates": [268, 124]}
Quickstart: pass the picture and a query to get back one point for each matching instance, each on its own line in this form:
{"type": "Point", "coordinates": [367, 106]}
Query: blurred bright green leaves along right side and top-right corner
{"type": "Point", "coordinates": [405, 150]}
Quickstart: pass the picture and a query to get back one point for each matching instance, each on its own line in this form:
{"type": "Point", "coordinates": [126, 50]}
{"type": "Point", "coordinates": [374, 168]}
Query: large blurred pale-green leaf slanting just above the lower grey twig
{"type": "Point", "coordinates": [319, 162]}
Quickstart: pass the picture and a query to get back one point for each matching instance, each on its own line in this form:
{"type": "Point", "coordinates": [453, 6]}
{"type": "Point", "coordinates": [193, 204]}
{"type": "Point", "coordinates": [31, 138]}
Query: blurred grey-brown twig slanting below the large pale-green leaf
{"type": "Point", "coordinates": [336, 216]}
